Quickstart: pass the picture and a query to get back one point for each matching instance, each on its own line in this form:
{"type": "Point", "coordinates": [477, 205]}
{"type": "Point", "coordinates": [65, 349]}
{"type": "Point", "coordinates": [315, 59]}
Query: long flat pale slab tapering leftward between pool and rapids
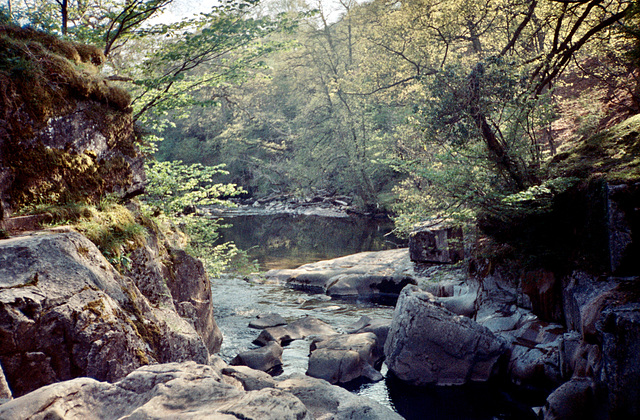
{"type": "Point", "coordinates": [373, 276]}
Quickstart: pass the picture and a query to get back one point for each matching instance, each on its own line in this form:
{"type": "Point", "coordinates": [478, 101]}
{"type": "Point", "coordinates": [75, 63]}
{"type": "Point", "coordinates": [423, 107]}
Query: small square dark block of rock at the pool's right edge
{"type": "Point", "coordinates": [436, 242]}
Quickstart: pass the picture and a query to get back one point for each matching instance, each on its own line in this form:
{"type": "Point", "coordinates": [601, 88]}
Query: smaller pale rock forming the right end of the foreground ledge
{"type": "Point", "coordinates": [326, 401]}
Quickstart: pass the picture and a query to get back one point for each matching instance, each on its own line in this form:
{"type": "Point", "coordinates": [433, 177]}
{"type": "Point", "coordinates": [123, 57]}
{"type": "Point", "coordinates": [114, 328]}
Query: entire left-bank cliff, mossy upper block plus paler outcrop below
{"type": "Point", "coordinates": [67, 138]}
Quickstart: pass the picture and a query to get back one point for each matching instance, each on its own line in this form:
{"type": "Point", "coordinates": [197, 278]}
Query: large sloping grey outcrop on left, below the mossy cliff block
{"type": "Point", "coordinates": [66, 312]}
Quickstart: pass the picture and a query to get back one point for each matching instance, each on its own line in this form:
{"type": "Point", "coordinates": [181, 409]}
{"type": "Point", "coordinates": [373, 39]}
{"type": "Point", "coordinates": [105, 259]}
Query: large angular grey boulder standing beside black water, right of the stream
{"type": "Point", "coordinates": [427, 344]}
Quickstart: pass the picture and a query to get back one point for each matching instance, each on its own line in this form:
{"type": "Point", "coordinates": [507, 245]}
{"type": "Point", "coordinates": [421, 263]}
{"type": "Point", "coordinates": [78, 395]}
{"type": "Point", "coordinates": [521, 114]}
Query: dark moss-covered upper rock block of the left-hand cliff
{"type": "Point", "coordinates": [65, 133]}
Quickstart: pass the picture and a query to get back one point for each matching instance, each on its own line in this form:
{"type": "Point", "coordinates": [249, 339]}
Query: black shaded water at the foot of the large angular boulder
{"type": "Point", "coordinates": [474, 401]}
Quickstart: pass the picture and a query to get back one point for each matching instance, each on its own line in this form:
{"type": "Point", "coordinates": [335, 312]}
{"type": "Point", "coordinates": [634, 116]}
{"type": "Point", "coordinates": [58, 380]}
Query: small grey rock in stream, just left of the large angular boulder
{"type": "Point", "coordinates": [344, 357]}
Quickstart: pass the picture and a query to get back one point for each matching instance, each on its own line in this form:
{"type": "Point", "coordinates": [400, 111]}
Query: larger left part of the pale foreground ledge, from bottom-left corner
{"type": "Point", "coordinates": [171, 391]}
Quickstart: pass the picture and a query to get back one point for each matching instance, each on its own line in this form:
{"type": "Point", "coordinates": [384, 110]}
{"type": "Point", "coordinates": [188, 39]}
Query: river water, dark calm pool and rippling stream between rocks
{"type": "Point", "coordinates": [286, 241]}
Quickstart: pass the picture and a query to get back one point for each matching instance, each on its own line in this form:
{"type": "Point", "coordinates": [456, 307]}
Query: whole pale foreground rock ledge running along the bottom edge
{"type": "Point", "coordinates": [189, 390]}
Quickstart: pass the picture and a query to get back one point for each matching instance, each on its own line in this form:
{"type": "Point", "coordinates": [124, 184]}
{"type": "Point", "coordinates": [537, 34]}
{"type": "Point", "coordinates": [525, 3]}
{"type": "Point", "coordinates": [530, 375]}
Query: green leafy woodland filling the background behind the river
{"type": "Point", "coordinates": [465, 110]}
